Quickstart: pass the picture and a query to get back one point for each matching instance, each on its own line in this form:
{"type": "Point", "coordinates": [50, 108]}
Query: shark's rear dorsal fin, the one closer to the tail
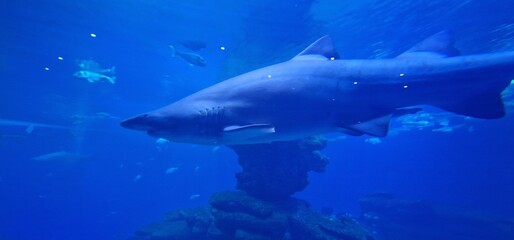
{"type": "Point", "coordinates": [438, 45]}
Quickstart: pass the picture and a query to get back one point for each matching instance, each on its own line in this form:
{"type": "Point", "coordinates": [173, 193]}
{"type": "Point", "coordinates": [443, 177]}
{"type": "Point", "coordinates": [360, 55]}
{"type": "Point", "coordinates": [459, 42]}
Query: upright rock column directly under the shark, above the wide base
{"type": "Point", "coordinates": [276, 171]}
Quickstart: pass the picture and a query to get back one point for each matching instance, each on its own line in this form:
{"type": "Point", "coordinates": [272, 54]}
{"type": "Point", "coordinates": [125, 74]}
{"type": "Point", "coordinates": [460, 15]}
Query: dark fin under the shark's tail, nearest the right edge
{"type": "Point", "coordinates": [486, 106]}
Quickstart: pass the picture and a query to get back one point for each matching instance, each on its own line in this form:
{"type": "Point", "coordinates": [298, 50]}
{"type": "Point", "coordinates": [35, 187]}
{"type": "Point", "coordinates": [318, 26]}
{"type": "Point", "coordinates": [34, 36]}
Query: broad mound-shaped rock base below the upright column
{"type": "Point", "coordinates": [235, 215]}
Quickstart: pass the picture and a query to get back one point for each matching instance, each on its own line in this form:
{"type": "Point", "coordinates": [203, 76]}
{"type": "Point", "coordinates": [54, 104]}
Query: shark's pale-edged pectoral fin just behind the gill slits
{"type": "Point", "coordinates": [247, 131]}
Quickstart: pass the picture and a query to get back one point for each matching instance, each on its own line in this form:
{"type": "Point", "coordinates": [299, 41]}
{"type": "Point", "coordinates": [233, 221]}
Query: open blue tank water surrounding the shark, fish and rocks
{"type": "Point", "coordinates": [116, 180]}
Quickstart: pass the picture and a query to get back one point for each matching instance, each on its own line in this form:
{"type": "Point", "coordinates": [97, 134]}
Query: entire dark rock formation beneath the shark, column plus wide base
{"type": "Point", "coordinates": [264, 208]}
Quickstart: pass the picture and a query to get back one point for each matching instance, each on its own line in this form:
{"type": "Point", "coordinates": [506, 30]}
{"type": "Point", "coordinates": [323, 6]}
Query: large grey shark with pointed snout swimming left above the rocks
{"type": "Point", "coordinates": [316, 92]}
